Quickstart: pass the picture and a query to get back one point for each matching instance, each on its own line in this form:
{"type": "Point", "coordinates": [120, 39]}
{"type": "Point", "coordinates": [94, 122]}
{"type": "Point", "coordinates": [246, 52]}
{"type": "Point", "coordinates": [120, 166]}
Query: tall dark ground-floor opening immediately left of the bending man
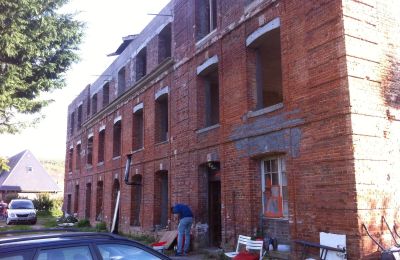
{"type": "Point", "coordinates": [161, 199]}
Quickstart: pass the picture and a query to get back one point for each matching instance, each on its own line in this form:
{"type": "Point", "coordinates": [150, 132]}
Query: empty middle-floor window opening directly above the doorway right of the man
{"type": "Point", "coordinates": [211, 96]}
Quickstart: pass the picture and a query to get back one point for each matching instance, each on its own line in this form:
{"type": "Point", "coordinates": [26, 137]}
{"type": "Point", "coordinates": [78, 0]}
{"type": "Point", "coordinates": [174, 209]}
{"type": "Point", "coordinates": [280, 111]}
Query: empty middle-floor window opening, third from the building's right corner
{"type": "Point", "coordinates": [161, 119]}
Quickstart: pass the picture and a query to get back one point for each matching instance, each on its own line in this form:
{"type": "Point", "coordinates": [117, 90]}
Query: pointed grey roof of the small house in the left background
{"type": "Point", "coordinates": [26, 174]}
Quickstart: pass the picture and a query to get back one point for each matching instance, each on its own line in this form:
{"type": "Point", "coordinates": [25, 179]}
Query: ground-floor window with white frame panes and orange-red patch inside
{"type": "Point", "coordinates": [274, 188]}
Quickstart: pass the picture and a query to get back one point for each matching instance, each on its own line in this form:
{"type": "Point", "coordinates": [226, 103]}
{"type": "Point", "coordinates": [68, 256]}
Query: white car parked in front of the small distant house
{"type": "Point", "coordinates": [21, 211]}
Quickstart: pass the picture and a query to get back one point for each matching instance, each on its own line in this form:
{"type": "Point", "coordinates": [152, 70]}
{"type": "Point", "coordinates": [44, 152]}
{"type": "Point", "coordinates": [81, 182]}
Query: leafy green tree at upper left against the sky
{"type": "Point", "coordinates": [38, 45]}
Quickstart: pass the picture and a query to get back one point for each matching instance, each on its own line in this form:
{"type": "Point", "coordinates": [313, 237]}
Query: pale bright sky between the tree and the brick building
{"type": "Point", "coordinates": [106, 23]}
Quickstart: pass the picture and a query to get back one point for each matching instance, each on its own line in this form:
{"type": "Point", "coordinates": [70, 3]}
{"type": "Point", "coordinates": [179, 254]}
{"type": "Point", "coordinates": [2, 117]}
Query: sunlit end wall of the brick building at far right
{"type": "Point", "coordinates": [372, 49]}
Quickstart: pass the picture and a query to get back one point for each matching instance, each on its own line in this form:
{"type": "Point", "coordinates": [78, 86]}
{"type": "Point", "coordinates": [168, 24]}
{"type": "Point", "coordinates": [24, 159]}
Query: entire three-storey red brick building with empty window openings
{"type": "Point", "coordinates": [274, 117]}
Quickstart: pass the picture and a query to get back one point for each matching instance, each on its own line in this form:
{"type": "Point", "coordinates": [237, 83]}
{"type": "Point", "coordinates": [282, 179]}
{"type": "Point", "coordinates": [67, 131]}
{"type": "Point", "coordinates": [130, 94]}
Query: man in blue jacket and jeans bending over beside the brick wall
{"type": "Point", "coordinates": [185, 222]}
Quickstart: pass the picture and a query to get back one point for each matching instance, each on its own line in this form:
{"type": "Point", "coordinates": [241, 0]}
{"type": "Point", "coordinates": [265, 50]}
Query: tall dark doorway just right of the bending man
{"type": "Point", "coordinates": [214, 204]}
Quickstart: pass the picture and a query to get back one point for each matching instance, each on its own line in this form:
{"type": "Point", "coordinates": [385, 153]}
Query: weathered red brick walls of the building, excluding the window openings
{"type": "Point", "coordinates": [336, 129]}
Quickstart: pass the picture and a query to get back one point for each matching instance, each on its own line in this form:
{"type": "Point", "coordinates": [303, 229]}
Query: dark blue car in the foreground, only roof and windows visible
{"type": "Point", "coordinates": [63, 245]}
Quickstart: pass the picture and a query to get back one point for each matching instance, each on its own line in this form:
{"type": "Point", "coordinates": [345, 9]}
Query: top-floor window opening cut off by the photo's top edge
{"type": "Point", "coordinates": [206, 17]}
